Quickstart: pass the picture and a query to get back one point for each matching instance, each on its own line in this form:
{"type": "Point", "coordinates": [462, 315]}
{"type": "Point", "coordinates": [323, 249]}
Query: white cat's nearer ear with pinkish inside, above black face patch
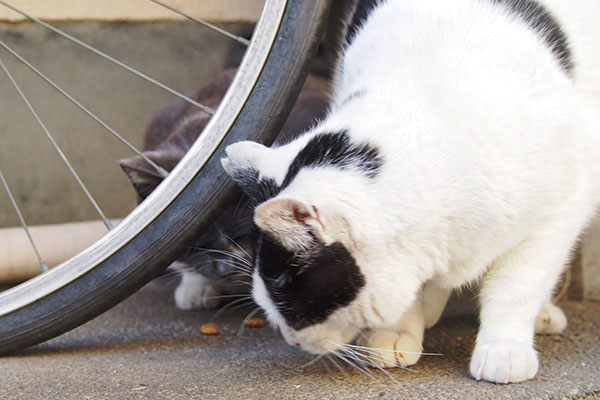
{"type": "Point", "coordinates": [293, 222]}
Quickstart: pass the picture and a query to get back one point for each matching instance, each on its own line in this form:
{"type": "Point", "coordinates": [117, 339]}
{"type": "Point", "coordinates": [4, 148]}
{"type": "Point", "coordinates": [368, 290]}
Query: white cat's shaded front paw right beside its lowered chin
{"type": "Point", "coordinates": [389, 349]}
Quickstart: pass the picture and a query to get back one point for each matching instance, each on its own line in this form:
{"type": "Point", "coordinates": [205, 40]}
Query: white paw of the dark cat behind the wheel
{"type": "Point", "coordinates": [197, 292]}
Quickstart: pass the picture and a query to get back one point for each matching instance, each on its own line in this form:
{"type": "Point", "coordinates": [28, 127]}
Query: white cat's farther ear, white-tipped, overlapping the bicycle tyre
{"type": "Point", "coordinates": [242, 164]}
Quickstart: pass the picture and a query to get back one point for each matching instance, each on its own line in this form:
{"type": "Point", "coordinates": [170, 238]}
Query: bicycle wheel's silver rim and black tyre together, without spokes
{"type": "Point", "coordinates": [150, 238]}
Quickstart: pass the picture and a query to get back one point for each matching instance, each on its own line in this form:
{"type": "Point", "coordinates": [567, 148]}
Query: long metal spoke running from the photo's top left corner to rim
{"type": "Point", "coordinates": [204, 108]}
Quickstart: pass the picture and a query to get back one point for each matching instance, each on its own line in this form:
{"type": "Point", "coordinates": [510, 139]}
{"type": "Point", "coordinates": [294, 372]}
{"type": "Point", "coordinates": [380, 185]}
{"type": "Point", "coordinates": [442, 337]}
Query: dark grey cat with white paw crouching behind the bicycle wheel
{"type": "Point", "coordinates": [212, 265]}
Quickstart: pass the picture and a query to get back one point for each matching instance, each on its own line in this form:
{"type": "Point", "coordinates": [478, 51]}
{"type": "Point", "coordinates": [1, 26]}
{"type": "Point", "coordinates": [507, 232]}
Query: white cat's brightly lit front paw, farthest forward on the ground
{"type": "Point", "coordinates": [503, 362]}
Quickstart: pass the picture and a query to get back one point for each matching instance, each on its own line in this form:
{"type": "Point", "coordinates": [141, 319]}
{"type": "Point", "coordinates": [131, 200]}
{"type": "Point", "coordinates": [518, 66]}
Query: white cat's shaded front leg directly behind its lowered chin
{"type": "Point", "coordinates": [399, 345]}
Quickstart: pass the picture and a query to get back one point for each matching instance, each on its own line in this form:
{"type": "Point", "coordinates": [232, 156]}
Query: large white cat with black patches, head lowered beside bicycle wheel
{"type": "Point", "coordinates": [462, 145]}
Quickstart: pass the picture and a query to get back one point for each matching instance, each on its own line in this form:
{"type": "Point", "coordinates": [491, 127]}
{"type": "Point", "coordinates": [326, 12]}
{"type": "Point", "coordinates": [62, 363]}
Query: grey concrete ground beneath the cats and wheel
{"type": "Point", "coordinates": [145, 348]}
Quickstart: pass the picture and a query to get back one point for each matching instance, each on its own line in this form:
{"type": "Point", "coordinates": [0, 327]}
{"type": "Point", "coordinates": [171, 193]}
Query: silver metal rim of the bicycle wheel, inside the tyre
{"type": "Point", "coordinates": [140, 218]}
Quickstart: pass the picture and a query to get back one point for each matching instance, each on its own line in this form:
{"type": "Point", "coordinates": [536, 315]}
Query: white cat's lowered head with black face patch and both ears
{"type": "Point", "coordinates": [315, 280]}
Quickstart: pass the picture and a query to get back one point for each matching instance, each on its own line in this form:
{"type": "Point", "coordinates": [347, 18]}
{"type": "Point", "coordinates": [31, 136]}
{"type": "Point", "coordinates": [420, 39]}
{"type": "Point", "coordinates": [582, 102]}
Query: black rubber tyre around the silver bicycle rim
{"type": "Point", "coordinates": [146, 255]}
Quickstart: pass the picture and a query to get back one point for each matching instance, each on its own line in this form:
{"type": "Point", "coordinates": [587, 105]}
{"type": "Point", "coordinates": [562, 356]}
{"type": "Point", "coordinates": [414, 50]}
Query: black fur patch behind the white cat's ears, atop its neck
{"type": "Point", "coordinates": [335, 150]}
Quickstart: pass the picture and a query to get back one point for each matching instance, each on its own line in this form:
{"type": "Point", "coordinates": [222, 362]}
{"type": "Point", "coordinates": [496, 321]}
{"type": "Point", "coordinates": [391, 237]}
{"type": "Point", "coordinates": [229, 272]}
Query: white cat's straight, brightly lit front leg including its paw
{"type": "Point", "coordinates": [512, 295]}
